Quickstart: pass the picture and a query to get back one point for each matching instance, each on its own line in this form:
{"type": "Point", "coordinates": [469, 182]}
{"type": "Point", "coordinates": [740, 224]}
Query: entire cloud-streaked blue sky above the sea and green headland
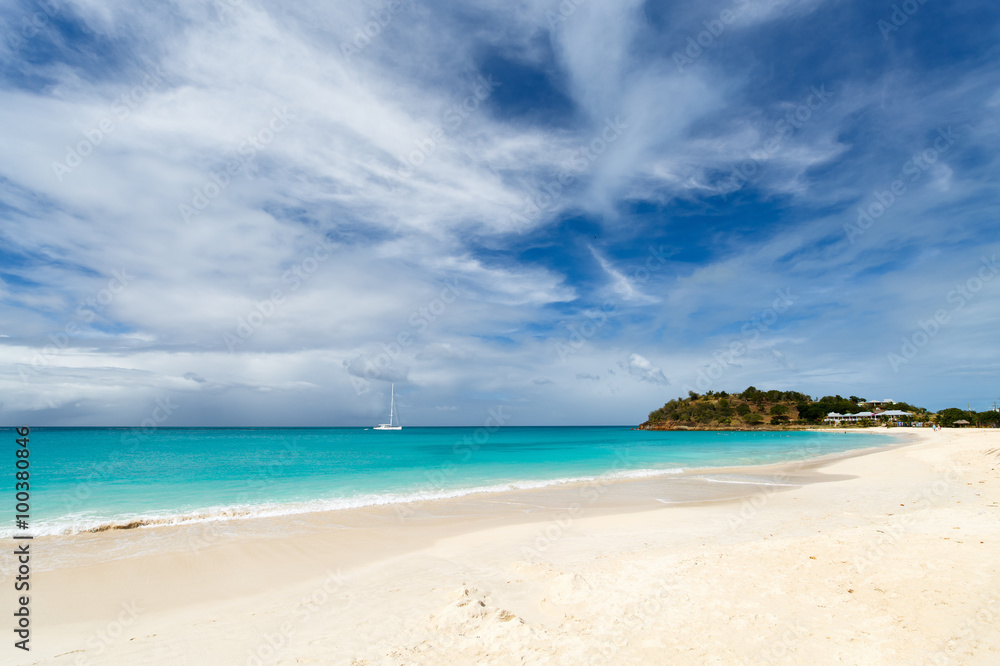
{"type": "Point", "coordinates": [265, 213]}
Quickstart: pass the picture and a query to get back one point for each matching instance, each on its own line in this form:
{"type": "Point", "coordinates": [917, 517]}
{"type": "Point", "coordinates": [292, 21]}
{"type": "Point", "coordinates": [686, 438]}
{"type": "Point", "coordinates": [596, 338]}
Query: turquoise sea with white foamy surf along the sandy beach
{"type": "Point", "coordinates": [86, 479]}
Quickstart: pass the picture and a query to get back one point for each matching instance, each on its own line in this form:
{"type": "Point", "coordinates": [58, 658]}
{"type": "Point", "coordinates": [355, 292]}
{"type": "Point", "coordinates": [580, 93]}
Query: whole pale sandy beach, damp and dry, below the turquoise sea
{"type": "Point", "coordinates": [893, 559]}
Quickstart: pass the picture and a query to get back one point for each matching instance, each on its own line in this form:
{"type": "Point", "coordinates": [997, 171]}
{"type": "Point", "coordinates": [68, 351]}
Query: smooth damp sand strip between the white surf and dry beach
{"type": "Point", "coordinates": [601, 495]}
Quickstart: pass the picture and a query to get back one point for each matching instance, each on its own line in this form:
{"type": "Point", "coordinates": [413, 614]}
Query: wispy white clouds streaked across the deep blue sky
{"type": "Point", "coordinates": [396, 239]}
